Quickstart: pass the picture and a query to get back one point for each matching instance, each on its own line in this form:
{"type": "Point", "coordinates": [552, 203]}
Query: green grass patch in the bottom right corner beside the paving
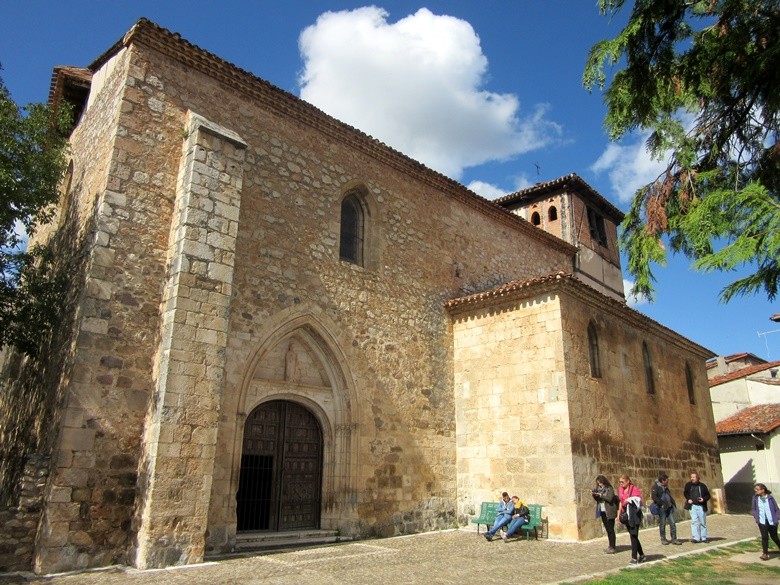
{"type": "Point", "coordinates": [710, 568]}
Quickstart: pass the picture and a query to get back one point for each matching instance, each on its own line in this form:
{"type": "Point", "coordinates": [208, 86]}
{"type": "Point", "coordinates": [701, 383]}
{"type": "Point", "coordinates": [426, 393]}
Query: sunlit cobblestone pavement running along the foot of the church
{"type": "Point", "coordinates": [457, 556]}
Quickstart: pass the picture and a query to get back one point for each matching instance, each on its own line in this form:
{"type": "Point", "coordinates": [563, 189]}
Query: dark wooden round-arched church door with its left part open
{"type": "Point", "coordinates": [279, 486]}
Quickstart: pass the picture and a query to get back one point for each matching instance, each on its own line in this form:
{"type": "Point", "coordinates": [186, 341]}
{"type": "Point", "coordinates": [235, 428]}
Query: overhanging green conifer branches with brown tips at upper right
{"type": "Point", "coordinates": [703, 78]}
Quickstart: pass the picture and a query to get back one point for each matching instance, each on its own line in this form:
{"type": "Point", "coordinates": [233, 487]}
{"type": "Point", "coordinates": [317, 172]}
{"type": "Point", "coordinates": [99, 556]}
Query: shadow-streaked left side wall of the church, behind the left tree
{"type": "Point", "coordinates": [35, 390]}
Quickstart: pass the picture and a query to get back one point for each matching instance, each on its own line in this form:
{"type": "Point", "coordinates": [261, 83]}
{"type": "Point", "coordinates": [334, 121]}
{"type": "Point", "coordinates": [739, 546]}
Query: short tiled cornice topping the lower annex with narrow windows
{"type": "Point", "coordinates": [566, 283]}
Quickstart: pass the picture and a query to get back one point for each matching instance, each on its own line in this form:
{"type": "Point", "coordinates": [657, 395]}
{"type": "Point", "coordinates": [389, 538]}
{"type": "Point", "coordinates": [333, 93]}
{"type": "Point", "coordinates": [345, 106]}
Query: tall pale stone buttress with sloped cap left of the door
{"type": "Point", "coordinates": [181, 427]}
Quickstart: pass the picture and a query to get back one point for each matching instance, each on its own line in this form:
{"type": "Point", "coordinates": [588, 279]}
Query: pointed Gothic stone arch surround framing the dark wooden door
{"type": "Point", "coordinates": [300, 366]}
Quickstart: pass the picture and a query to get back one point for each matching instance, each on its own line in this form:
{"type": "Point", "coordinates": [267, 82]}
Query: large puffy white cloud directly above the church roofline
{"type": "Point", "coordinates": [417, 85]}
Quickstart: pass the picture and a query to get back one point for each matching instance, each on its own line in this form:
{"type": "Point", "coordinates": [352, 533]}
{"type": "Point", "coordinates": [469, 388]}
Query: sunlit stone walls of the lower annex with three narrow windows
{"type": "Point", "coordinates": [533, 421]}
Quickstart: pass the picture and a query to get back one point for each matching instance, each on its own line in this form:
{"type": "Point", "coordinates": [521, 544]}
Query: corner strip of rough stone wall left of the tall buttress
{"type": "Point", "coordinates": [122, 209]}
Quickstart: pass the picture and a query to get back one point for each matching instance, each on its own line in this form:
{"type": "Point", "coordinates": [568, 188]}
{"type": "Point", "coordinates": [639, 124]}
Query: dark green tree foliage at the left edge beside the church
{"type": "Point", "coordinates": [33, 150]}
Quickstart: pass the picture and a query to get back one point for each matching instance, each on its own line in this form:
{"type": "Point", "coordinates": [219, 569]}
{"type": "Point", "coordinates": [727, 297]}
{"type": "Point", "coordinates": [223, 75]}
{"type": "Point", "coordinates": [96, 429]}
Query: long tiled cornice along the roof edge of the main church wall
{"type": "Point", "coordinates": [172, 45]}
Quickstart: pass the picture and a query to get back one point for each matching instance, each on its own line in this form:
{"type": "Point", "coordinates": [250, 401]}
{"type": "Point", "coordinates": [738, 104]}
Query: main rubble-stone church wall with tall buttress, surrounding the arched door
{"type": "Point", "coordinates": [381, 331]}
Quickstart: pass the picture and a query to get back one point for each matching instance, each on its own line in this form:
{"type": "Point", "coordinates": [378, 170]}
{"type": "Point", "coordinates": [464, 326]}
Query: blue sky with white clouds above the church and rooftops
{"type": "Point", "coordinates": [488, 93]}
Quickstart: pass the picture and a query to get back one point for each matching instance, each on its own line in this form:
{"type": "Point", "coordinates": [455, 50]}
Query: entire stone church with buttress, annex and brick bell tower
{"type": "Point", "coordinates": [278, 323]}
